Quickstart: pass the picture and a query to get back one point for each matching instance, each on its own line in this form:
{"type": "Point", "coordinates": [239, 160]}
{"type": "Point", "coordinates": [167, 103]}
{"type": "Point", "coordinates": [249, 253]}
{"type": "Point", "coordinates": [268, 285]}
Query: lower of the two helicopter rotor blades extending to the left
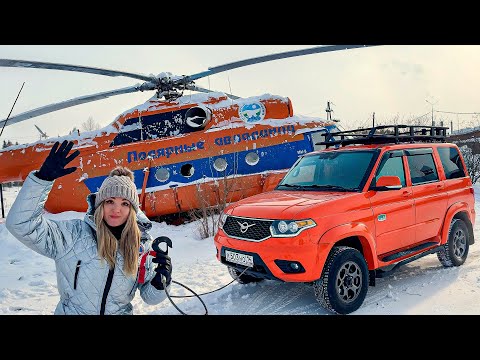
{"type": "Point", "coordinates": [76, 101]}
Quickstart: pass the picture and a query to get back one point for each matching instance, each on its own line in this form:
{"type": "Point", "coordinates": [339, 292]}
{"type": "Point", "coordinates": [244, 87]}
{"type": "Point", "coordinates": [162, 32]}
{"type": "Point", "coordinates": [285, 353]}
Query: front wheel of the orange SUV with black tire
{"type": "Point", "coordinates": [344, 282]}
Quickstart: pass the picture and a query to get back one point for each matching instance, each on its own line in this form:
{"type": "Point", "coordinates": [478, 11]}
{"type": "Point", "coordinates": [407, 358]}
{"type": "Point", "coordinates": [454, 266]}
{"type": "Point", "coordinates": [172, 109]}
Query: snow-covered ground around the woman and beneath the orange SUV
{"type": "Point", "coordinates": [28, 281]}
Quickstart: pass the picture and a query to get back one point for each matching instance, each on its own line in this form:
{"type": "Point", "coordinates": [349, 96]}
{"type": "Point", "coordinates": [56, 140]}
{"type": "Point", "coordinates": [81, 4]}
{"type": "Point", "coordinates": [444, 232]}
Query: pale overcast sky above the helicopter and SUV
{"type": "Point", "coordinates": [391, 81]}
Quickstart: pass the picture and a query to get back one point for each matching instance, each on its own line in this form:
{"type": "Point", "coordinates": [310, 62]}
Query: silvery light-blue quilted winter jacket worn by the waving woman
{"type": "Point", "coordinates": [82, 276]}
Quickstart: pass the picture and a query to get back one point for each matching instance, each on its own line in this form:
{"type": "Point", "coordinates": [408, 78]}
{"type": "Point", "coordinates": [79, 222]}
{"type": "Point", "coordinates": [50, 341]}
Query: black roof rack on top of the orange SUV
{"type": "Point", "coordinates": [386, 134]}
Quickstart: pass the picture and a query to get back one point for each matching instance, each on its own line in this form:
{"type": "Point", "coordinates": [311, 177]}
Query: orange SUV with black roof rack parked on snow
{"type": "Point", "coordinates": [370, 201]}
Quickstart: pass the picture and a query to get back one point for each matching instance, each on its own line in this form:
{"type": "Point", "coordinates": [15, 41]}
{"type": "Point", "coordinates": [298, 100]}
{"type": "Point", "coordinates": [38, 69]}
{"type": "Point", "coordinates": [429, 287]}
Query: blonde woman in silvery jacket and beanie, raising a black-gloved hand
{"type": "Point", "coordinates": [101, 260]}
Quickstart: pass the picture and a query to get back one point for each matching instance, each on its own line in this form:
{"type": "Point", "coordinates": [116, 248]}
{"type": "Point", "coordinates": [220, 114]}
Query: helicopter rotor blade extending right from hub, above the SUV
{"type": "Point", "coordinates": [277, 56]}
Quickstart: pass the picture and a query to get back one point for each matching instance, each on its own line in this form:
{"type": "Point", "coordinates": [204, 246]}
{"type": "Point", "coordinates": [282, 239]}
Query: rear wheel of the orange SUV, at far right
{"type": "Point", "coordinates": [455, 250]}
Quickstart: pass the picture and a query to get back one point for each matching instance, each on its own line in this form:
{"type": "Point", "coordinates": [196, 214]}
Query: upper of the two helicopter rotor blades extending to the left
{"type": "Point", "coordinates": [74, 68]}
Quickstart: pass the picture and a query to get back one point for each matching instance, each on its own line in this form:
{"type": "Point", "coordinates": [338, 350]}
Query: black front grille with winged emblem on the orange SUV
{"type": "Point", "coordinates": [247, 228]}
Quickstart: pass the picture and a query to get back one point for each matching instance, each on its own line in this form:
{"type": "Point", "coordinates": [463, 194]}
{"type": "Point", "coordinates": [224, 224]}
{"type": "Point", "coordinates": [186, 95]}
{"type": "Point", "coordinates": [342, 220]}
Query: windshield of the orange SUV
{"type": "Point", "coordinates": [336, 170]}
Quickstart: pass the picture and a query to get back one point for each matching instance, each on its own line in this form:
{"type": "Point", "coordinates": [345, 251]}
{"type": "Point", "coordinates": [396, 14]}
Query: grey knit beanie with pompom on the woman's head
{"type": "Point", "coordinates": [119, 183]}
